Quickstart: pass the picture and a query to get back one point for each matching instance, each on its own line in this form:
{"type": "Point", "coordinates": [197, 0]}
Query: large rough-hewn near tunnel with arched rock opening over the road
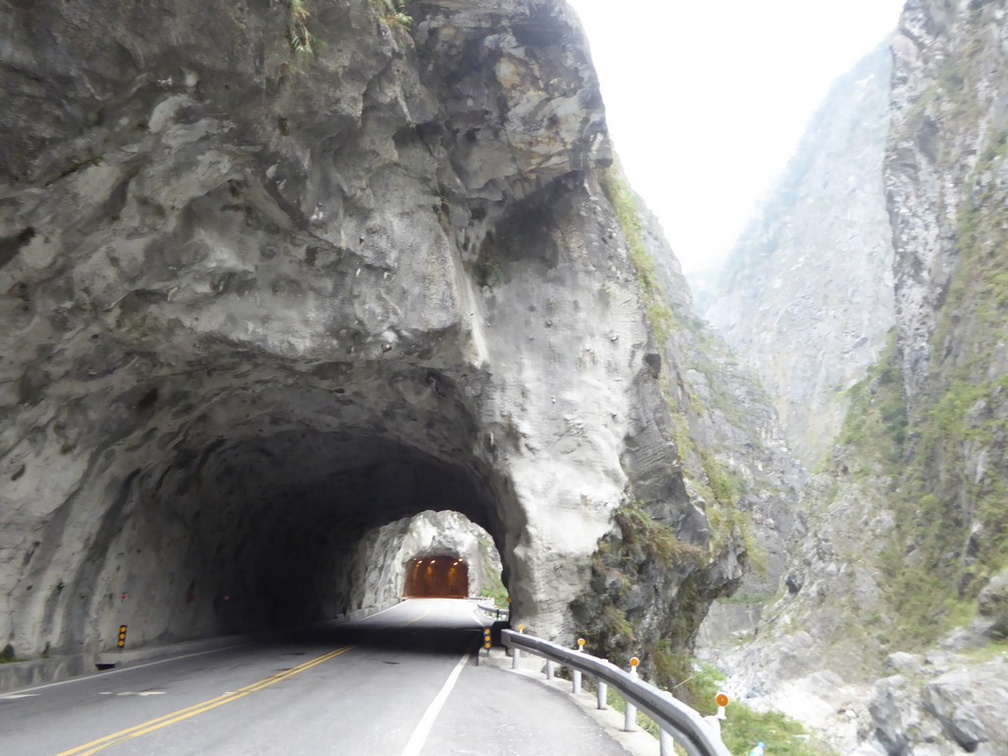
{"type": "Point", "coordinates": [253, 515]}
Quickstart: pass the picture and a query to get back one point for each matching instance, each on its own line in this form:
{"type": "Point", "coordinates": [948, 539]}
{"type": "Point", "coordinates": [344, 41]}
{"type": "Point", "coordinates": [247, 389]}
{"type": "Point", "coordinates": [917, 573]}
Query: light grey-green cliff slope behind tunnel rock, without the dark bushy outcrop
{"type": "Point", "coordinates": [736, 462]}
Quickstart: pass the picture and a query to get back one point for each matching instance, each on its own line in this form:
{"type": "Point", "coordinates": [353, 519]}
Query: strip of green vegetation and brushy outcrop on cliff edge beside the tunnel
{"type": "Point", "coordinates": [645, 566]}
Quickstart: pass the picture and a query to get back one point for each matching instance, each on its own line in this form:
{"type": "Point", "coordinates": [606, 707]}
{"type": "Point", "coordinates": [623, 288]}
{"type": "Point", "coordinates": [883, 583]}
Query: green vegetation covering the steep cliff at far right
{"type": "Point", "coordinates": [948, 460]}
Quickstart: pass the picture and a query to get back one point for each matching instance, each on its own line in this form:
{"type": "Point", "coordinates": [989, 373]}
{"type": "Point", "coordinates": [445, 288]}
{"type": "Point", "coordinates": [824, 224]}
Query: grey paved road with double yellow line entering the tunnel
{"type": "Point", "coordinates": [399, 684]}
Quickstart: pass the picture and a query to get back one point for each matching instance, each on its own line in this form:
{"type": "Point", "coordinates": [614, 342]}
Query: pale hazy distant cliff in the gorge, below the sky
{"type": "Point", "coordinates": [806, 297]}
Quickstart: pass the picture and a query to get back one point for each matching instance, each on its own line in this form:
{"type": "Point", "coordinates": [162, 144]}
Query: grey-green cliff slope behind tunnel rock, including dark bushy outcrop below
{"type": "Point", "coordinates": [735, 465]}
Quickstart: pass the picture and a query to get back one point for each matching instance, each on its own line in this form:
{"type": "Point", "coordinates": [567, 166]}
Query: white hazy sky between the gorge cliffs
{"type": "Point", "coordinates": [707, 101]}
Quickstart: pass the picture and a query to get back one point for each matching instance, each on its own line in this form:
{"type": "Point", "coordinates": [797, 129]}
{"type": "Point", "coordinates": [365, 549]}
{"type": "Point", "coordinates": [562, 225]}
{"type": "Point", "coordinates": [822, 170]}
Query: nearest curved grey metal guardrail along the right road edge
{"type": "Point", "coordinates": [684, 724]}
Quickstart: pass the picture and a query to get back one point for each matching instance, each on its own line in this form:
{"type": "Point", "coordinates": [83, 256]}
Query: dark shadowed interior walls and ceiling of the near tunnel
{"type": "Point", "coordinates": [260, 528]}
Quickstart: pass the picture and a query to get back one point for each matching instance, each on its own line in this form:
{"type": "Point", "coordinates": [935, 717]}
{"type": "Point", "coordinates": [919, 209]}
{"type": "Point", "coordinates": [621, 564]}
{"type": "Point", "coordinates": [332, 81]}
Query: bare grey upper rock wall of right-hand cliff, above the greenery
{"type": "Point", "coordinates": [948, 121]}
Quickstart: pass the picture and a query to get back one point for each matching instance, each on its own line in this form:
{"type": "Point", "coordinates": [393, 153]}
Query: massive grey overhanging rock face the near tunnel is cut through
{"type": "Point", "coordinates": [261, 303]}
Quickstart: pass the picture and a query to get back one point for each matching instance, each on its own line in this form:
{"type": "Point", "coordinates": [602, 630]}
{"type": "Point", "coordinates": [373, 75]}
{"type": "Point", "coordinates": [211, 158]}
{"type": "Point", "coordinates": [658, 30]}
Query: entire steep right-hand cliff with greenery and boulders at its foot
{"type": "Point", "coordinates": [898, 581]}
